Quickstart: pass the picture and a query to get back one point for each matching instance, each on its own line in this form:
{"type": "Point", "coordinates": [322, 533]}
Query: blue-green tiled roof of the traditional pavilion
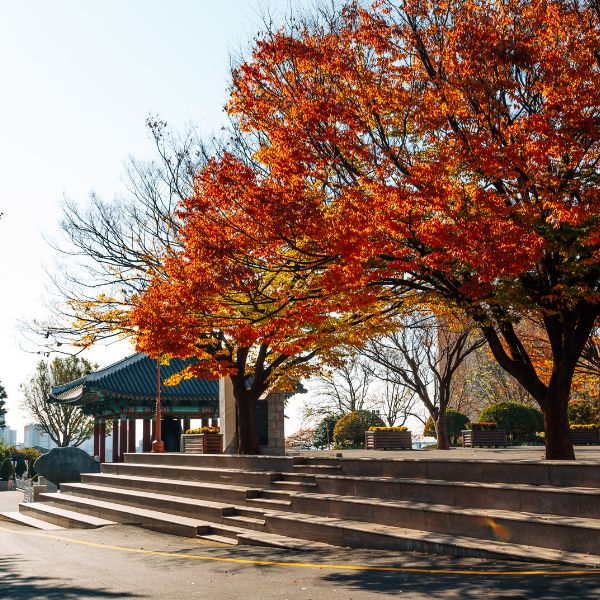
{"type": "Point", "coordinates": [135, 377]}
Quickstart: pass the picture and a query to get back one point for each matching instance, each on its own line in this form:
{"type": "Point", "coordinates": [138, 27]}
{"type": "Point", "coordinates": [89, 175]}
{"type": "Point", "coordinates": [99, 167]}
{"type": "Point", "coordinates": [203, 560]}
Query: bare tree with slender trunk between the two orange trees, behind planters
{"type": "Point", "coordinates": [424, 355]}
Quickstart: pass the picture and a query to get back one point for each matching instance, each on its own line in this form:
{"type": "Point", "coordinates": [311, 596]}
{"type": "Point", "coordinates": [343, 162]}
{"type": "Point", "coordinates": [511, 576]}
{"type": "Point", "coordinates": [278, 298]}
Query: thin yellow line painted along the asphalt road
{"type": "Point", "coordinates": [276, 563]}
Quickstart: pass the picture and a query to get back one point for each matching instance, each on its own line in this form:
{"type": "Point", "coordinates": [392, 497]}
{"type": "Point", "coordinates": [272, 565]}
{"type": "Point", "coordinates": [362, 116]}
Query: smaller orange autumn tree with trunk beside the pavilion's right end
{"type": "Point", "coordinates": [219, 300]}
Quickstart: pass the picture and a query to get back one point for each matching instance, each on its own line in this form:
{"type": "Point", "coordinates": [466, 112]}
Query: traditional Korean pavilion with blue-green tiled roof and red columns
{"type": "Point", "coordinates": [126, 391]}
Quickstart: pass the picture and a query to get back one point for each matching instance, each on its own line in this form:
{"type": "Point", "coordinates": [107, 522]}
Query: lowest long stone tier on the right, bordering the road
{"type": "Point", "coordinates": [357, 534]}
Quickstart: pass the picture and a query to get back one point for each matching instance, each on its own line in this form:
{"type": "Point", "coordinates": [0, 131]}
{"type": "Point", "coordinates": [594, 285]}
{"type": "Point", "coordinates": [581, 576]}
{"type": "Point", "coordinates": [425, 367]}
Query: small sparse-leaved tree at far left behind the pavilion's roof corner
{"type": "Point", "coordinates": [66, 425]}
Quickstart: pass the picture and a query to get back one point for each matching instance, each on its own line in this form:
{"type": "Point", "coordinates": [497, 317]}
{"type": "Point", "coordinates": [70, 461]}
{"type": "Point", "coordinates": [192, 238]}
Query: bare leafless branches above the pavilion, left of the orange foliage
{"type": "Point", "coordinates": [118, 244]}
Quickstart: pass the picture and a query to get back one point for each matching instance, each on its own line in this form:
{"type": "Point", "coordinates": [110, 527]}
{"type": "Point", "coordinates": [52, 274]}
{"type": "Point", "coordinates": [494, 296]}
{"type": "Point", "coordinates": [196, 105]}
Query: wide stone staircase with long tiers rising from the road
{"type": "Point", "coordinates": [522, 510]}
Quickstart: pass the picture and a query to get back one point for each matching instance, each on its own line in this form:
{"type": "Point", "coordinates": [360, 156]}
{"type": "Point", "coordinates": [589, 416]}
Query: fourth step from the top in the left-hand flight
{"type": "Point", "coordinates": [177, 505]}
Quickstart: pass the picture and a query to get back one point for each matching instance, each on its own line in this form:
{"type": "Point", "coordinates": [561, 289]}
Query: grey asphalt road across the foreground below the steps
{"type": "Point", "coordinates": [127, 562]}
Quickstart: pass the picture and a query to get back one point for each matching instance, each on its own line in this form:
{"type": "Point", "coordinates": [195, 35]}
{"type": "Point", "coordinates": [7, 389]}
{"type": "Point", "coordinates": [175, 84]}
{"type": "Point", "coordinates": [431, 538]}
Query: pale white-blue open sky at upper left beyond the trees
{"type": "Point", "coordinates": [78, 80]}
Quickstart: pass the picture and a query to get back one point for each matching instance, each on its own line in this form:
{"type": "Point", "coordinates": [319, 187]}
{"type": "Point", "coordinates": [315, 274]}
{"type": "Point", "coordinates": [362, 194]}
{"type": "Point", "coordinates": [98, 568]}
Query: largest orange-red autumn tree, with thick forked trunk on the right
{"type": "Point", "coordinates": [447, 148]}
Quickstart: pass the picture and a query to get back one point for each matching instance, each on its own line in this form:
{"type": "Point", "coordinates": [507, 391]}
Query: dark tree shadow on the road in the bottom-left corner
{"type": "Point", "coordinates": [15, 585]}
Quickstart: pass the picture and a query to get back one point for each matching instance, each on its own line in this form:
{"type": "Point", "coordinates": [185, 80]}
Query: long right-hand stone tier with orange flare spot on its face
{"type": "Point", "coordinates": [549, 531]}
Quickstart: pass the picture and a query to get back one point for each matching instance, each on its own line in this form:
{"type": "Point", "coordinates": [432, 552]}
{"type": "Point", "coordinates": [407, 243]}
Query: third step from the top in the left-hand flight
{"type": "Point", "coordinates": [189, 489]}
